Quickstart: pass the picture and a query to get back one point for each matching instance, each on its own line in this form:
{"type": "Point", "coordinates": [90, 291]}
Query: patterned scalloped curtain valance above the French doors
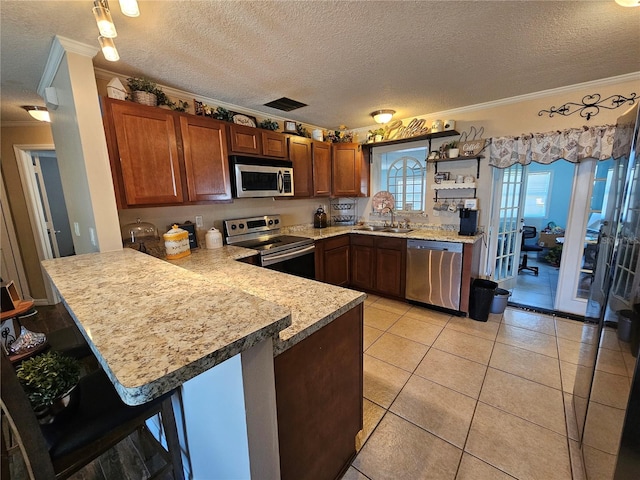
{"type": "Point", "coordinates": [573, 145]}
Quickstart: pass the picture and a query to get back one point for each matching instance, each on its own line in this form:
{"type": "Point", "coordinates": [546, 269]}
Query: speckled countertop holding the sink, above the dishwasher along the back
{"type": "Point", "coordinates": [417, 233]}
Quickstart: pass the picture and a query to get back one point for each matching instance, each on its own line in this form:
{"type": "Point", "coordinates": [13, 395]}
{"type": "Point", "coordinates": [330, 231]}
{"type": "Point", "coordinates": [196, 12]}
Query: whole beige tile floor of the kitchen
{"type": "Point", "coordinates": [452, 398]}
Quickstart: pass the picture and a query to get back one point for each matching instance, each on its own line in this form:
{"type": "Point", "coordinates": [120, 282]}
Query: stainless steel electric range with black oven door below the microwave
{"type": "Point", "coordinates": [285, 253]}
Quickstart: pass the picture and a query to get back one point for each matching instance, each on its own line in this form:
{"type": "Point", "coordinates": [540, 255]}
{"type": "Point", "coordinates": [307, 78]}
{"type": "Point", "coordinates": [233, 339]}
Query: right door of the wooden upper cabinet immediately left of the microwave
{"type": "Point", "coordinates": [205, 157]}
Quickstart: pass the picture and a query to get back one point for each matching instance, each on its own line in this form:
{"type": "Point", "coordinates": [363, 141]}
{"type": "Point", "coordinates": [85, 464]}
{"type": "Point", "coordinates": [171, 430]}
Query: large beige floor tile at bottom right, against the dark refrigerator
{"type": "Point", "coordinates": [516, 446]}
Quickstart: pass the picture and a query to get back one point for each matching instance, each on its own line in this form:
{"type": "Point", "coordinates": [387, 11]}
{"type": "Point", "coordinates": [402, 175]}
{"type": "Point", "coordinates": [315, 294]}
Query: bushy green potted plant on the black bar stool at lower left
{"type": "Point", "coordinates": [50, 382]}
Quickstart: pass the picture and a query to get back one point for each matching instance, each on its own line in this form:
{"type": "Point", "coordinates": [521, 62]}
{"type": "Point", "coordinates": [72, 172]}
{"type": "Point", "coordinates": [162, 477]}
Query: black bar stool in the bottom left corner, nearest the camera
{"type": "Point", "coordinates": [76, 438]}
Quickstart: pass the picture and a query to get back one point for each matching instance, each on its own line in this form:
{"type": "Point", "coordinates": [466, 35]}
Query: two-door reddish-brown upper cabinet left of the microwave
{"type": "Point", "coordinates": [160, 157]}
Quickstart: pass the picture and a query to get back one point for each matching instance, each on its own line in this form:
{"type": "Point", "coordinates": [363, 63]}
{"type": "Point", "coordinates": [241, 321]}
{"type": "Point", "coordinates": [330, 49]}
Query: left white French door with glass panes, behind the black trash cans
{"type": "Point", "coordinates": [506, 224]}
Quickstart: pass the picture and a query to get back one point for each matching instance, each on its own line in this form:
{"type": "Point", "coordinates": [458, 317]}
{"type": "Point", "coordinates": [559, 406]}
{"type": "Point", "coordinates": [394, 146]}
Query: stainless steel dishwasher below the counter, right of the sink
{"type": "Point", "coordinates": [434, 272]}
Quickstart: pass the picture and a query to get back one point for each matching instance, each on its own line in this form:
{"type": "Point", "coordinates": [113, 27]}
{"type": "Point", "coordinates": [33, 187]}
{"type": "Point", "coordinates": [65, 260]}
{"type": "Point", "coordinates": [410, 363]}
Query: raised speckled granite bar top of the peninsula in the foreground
{"type": "Point", "coordinates": [130, 305]}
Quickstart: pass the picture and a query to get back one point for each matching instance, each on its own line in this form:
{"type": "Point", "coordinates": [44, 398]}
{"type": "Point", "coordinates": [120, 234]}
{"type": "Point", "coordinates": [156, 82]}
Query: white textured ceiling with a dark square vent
{"type": "Point", "coordinates": [342, 58]}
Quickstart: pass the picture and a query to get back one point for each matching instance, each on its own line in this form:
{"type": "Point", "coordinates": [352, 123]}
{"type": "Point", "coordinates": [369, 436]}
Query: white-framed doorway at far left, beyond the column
{"type": "Point", "coordinates": [42, 187]}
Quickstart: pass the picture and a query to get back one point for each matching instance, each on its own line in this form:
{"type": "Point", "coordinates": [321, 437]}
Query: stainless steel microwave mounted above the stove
{"type": "Point", "coordinates": [260, 177]}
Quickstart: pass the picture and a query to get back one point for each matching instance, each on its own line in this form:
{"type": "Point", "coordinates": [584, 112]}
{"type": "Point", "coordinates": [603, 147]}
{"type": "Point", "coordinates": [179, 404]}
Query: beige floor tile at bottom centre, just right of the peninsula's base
{"type": "Point", "coordinates": [399, 450]}
